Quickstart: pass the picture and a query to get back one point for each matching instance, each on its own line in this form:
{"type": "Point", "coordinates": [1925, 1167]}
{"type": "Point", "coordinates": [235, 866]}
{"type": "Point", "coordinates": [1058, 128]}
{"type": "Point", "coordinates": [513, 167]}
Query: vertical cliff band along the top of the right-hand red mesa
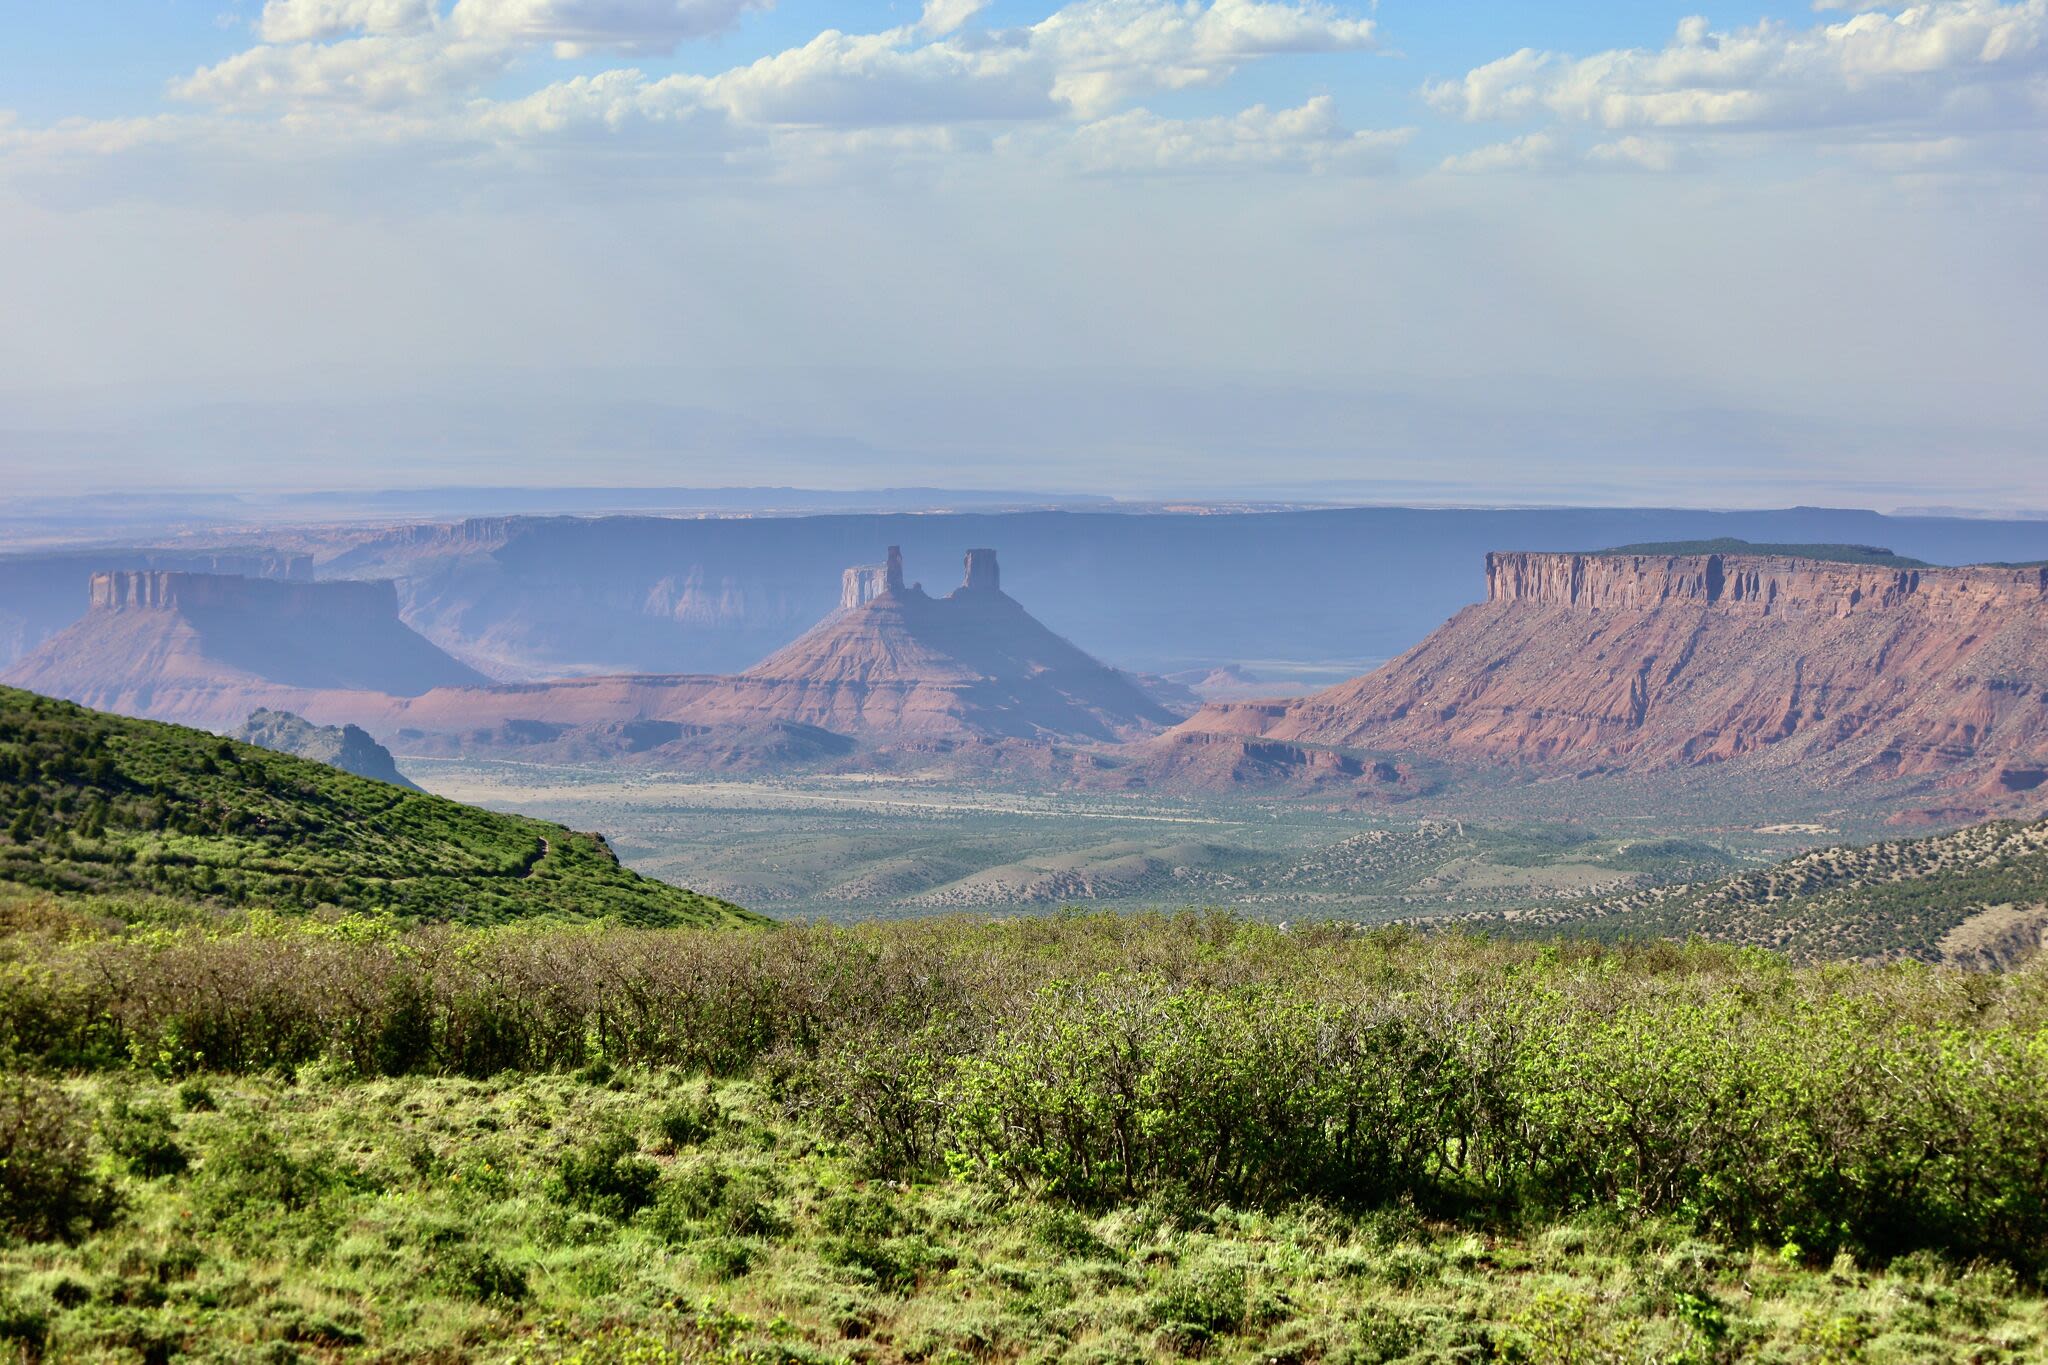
{"type": "Point", "coordinates": [1752, 584]}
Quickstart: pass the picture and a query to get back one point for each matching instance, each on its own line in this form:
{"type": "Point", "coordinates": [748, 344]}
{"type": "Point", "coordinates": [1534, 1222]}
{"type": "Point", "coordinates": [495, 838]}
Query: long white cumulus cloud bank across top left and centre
{"type": "Point", "coordinates": [1066, 89]}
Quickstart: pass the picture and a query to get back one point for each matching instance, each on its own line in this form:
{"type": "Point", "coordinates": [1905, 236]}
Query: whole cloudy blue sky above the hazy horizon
{"type": "Point", "coordinates": [1609, 253]}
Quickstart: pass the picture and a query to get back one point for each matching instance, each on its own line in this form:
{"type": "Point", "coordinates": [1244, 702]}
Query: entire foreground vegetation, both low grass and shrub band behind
{"type": "Point", "coordinates": [1050, 1139]}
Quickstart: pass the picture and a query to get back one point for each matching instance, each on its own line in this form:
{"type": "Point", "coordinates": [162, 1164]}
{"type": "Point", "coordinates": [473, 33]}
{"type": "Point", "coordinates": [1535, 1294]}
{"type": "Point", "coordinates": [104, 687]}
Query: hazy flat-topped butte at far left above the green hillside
{"type": "Point", "coordinates": [208, 650]}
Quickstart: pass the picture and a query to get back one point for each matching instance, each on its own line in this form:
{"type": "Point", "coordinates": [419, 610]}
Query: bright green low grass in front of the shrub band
{"type": "Point", "coordinates": [327, 1219]}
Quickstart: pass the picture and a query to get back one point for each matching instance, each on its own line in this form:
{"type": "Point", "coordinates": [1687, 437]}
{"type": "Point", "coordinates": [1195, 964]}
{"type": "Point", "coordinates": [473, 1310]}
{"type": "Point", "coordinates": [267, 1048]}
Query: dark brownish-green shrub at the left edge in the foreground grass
{"type": "Point", "coordinates": [48, 1190]}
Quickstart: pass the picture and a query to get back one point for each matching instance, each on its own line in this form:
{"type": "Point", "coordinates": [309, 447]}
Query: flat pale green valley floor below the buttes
{"type": "Point", "coordinates": [867, 846]}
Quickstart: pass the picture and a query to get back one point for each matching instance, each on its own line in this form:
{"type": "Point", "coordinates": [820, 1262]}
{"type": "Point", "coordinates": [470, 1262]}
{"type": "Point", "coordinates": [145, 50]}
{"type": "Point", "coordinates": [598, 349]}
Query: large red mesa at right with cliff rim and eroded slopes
{"type": "Point", "coordinates": [1607, 662]}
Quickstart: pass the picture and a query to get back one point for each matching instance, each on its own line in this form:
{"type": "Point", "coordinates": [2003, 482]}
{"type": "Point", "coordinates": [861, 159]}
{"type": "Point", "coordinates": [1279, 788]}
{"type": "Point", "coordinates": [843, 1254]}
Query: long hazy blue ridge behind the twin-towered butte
{"type": "Point", "coordinates": [542, 597]}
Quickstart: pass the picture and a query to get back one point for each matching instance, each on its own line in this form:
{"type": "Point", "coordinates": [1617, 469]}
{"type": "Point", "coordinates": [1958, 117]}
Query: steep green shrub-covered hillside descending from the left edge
{"type": "Point", "coordinates": [105, 805]}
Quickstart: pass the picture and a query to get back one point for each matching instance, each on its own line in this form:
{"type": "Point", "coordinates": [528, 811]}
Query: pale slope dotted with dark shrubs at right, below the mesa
{"type": "Point", "coordinates": [1881, 901]}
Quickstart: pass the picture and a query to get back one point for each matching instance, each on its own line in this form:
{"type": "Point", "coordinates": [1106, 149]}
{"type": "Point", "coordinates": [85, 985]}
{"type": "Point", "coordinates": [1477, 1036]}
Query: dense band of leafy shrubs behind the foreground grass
{"type": "Point", "coordinates": [1199, 1059]}
